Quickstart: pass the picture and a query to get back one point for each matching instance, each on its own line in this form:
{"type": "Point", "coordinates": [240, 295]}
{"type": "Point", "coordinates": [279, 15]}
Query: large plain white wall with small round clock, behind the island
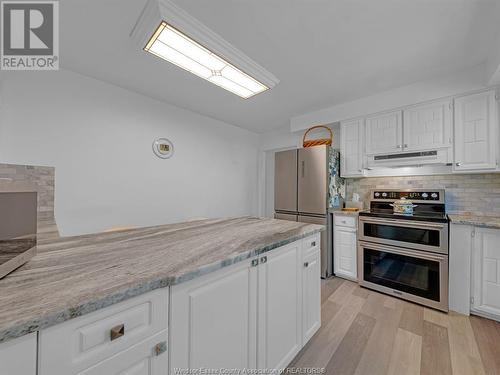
{"type": "Point", "coordinates": [99, 136]}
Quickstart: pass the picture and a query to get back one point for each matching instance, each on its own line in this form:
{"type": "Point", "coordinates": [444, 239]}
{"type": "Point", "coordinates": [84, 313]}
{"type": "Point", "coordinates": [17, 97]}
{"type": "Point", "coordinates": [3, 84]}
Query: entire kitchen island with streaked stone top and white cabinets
{"type": "Point", "coordinates": [75, 286]}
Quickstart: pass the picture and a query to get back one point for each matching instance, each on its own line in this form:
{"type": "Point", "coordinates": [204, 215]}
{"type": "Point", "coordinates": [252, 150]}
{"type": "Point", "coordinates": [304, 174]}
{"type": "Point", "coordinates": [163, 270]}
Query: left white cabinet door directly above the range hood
{"type": "Point", "coordinates": [384, 133]}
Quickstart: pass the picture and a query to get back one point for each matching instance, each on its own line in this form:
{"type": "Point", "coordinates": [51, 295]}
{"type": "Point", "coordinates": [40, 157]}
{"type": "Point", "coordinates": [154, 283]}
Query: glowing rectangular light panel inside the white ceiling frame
{"type": "Point", "coordinates": [170, 44]}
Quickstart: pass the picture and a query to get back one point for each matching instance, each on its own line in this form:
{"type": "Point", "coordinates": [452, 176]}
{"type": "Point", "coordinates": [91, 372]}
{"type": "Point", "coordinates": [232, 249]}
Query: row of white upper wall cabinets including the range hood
{"type": "Point", "coordinates": [462, 132]}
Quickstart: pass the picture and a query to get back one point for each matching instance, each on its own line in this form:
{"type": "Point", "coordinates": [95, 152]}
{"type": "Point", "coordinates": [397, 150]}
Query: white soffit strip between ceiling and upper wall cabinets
{"type": "Point", "coordinates": [448, 85]}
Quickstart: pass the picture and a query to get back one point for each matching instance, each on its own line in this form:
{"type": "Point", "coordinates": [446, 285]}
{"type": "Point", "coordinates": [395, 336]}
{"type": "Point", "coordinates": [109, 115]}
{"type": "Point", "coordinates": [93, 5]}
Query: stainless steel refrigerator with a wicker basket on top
{"type": "Point", "coordinates": [303, 192]}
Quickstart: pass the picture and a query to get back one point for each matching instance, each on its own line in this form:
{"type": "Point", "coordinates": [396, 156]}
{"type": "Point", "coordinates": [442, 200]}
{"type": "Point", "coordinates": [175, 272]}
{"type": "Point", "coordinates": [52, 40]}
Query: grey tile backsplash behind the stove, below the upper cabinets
{"type": "Point", "coordinates": [475, 193]}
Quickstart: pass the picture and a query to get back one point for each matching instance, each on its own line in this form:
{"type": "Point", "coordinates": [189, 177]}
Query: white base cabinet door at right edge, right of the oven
{"type": "Point", "coordinates": [486, 272]}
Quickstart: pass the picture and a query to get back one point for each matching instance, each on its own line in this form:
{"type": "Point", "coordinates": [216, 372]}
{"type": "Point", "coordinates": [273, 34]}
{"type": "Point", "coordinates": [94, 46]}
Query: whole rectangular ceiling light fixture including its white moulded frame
{"type": "Point", "coordinates": [186, 42]}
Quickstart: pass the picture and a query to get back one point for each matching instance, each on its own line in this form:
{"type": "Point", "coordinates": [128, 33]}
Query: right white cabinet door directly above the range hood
{"type": "Point", "coordinates": [428, 126]}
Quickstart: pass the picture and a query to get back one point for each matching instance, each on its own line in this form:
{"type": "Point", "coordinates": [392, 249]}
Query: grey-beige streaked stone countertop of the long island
{"type": "Point", "coordinates": [74, 276]}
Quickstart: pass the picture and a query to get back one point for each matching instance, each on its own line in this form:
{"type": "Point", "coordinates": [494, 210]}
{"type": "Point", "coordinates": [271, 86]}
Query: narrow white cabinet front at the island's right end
{"type": "Point", "coordinates": [311, 292]}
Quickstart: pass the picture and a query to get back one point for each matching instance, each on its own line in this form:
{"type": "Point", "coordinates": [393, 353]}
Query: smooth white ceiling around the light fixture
{"type": "Point", "coordinates": [323, 51]}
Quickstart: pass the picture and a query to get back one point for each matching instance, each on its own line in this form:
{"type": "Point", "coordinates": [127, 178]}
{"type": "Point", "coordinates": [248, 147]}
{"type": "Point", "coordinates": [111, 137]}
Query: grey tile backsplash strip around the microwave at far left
{"type": "Point", "coordinates": [43, 179]}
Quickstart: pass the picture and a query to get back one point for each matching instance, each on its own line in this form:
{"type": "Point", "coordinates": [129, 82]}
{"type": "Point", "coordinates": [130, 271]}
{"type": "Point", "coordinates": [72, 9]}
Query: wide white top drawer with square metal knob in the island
{"type": "Point", "coordinates": [77, 344]}
